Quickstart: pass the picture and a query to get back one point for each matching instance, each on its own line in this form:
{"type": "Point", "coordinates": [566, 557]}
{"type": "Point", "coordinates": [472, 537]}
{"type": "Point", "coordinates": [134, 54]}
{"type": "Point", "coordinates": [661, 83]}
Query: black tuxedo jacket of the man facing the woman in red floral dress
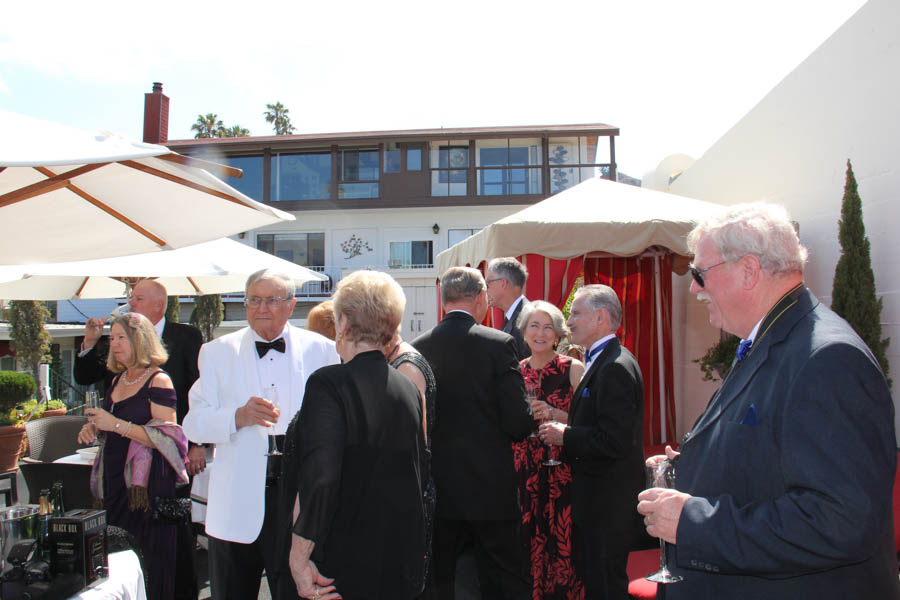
{"type": "Point", "coordinates": [604, 446]}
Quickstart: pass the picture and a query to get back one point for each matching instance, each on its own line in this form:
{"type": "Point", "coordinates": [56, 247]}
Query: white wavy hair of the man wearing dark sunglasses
{"type": "Point", "coordinates": [763, 230]}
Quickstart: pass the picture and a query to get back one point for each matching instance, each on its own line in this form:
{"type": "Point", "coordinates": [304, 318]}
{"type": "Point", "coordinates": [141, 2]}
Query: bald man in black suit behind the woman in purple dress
{"type": "Point", "coordinates": [182, 342]}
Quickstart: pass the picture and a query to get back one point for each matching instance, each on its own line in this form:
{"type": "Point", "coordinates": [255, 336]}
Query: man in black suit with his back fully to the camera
{"type": "Point", "coordinates": [481, 409]}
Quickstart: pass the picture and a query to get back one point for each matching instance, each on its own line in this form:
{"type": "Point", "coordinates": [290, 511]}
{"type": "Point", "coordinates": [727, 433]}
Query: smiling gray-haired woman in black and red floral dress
{"type": "Point", "coordinates": [546, 505]}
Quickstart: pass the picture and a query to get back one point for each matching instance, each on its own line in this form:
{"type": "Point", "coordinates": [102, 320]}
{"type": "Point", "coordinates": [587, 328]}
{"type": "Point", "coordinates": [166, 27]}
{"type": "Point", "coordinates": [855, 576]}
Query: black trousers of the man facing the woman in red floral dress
{"type": "Point", "coordinates": [600, 566]}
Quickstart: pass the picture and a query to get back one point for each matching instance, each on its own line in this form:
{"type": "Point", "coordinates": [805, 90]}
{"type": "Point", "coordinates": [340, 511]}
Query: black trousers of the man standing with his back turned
{"type": "Point", "coordinates": [500, 555]}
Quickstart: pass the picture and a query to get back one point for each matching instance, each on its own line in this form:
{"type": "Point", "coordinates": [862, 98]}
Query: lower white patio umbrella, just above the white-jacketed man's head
{"type": "Point", "coordinates": [217, 267]}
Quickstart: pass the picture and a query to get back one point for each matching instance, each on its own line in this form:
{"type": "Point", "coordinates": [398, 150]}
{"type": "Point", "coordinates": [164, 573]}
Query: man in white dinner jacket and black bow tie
{"type": "Point", "coordinates": [230, 406]}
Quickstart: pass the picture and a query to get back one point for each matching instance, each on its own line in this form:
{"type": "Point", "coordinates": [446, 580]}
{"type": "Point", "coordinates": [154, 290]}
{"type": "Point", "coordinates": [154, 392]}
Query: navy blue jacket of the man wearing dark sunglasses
{"type": "Point", "coordinates": [791, 468]}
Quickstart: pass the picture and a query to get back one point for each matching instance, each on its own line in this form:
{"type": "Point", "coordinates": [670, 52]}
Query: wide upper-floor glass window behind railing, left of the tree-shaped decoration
{"type": "Point", "coordinates": [507, 167]}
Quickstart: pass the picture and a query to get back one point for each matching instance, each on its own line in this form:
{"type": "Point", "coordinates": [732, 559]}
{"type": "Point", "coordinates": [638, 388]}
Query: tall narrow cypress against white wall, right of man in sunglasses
{"type": "Point", "coordinates": [853, 292]}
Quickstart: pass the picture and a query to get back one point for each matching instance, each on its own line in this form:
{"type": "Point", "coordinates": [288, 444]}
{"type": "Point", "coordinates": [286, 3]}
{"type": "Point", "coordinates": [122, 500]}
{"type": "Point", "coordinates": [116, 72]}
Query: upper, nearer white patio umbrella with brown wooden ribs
{"type": "Point", "coordinates": [66, 194]}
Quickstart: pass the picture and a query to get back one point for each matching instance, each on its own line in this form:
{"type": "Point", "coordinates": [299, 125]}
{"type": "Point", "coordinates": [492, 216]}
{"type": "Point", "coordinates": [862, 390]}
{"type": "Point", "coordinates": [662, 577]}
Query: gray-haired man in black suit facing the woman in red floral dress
{"type": "Point", "coordinates": [603, 443]}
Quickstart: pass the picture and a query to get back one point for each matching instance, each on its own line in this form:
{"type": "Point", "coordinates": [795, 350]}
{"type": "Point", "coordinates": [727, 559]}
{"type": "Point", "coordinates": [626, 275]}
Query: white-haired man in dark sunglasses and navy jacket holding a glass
{"type": "Point", "coordinates": [783, 487]}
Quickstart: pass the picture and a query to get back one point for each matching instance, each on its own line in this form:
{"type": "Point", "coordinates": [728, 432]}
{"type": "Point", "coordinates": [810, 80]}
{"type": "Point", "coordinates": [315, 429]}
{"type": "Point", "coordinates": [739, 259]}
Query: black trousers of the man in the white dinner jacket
{"type": "Point", "coordinates": [235, 569]}
